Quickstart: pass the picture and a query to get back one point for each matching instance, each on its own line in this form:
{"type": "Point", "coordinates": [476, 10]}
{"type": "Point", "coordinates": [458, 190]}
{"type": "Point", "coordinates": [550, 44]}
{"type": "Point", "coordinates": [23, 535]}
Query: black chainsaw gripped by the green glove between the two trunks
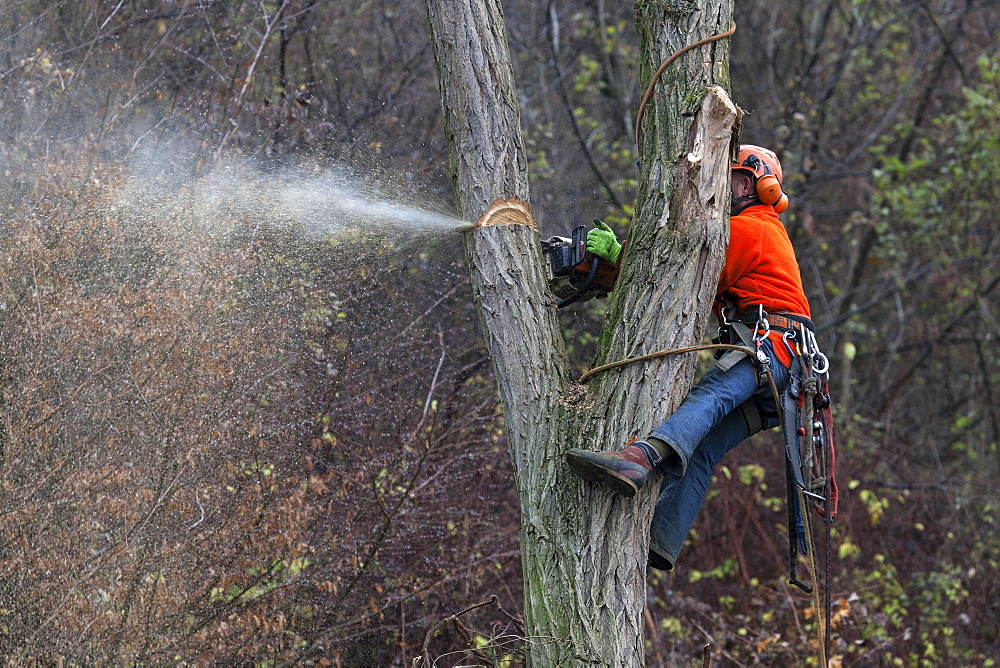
{"type": "Point", "coordinates": [576, 275]}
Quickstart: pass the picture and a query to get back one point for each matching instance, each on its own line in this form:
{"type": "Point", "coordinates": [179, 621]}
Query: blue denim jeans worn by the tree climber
{"type": "Point", "coordinates": [722, 410]}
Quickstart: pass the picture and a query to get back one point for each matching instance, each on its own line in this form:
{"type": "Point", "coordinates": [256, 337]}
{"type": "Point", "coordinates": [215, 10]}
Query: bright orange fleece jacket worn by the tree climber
{"type": "Point", "coordinates": [761, 269]}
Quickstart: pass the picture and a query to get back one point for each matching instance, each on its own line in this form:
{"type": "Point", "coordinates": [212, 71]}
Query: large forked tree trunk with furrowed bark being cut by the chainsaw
{"type": "Point", "coordinates": [584, 550]}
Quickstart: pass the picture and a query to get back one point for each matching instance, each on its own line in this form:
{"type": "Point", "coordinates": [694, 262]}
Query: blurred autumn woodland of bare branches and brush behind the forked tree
{"type": "Point", "coordinates": [241, 425]}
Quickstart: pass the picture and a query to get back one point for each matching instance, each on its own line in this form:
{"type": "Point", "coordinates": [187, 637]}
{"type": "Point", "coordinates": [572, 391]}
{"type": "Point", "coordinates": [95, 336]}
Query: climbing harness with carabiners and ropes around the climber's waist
{"type": "Point", "coordinates": [810, 455]}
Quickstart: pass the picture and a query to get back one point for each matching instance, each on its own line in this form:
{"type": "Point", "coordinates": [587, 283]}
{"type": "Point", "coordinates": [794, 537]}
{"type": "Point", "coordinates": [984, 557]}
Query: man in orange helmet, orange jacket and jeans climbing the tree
{"type": "Point", "coordinates": [760, 280]}
